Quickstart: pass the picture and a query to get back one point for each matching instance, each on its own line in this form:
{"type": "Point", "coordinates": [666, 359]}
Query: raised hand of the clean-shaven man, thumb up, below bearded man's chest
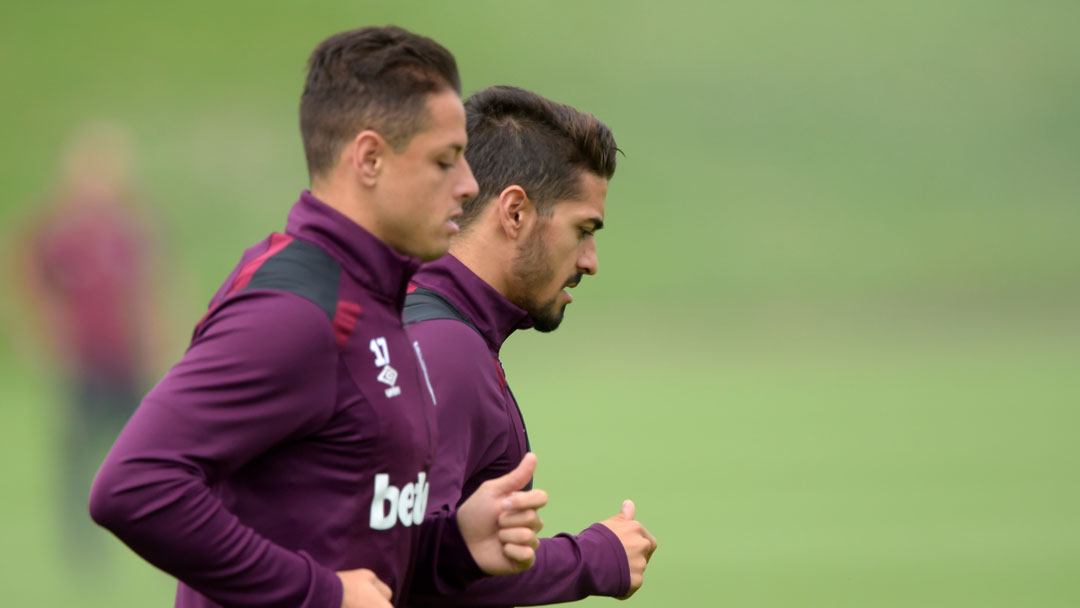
{"type": "Point", "coordinates": [501, 524]}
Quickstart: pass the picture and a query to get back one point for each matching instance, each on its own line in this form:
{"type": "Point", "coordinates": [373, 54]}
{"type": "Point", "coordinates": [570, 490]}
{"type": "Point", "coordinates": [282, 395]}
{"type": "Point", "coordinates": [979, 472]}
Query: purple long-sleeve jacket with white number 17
{"type": "Point", "coordinates": [294, 439]}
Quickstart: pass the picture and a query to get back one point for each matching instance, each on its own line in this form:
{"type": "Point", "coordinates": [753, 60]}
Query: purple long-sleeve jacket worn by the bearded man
{"type": "Point", "coordinates": [482, 437]}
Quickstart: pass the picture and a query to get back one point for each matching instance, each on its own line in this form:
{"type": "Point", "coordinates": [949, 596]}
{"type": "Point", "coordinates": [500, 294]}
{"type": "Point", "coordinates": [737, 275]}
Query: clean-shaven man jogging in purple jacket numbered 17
{"type": "Point", "coordinates": [286, 461]}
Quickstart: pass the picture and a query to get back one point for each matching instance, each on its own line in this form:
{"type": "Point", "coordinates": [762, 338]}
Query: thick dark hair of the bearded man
{"type": "Point", "coordinates": [518, 138]}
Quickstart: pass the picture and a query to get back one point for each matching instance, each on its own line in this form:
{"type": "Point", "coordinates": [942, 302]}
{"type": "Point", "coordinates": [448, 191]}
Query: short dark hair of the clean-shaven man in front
{"type": "Point", "coordinates": [376, 78]}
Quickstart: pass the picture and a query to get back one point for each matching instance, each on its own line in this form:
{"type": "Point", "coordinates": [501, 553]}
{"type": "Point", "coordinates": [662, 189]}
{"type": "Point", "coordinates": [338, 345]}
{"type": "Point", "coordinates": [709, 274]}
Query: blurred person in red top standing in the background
{"type": "Point", "coordinates": [87, 263]}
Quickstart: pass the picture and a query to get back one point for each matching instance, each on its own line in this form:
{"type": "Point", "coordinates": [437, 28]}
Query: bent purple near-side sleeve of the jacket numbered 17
{"type": "Point", "coordinates": [260, 373]}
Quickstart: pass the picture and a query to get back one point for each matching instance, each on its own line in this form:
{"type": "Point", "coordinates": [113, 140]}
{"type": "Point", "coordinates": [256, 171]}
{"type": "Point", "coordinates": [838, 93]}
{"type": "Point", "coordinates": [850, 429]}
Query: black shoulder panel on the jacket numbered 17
{"type": "Point", "coordinates": [303, 269]}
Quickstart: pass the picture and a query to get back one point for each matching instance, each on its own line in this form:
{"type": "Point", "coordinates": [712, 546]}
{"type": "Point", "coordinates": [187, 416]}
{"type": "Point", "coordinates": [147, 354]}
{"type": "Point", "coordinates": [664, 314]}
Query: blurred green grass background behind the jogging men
{"type": "Point", "coordinates": [834, 348]}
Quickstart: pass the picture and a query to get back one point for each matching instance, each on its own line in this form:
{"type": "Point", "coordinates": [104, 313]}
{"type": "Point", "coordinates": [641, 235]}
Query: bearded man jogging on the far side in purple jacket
{"type": "Point", "coordinates": [543, 171]}
